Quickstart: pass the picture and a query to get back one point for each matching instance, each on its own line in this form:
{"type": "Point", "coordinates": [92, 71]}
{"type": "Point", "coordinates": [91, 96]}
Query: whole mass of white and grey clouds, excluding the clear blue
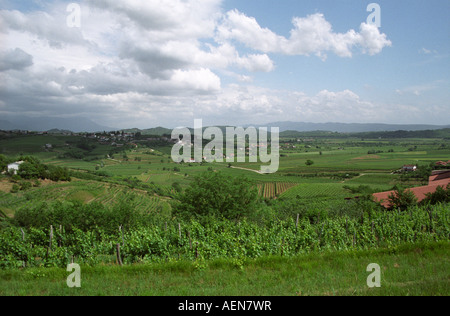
{"type": "Point", "coordinates": [146, 62]}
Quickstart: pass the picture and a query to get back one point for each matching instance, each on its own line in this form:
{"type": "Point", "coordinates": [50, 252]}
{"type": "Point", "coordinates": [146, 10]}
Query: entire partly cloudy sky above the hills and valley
{"type": "Point", "coordinates": [148, 63]}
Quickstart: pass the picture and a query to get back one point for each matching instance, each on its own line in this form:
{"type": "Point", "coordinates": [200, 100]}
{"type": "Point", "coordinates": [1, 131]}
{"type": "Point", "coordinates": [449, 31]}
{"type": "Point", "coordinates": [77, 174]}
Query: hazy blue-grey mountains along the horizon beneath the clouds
{"type": "Point", "coordinates": [86, 125]}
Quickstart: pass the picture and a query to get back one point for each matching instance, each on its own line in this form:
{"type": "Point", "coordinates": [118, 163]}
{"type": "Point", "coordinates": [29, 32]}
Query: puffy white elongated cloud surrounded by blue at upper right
{"type": "Point", "coordinates": [310, 35]}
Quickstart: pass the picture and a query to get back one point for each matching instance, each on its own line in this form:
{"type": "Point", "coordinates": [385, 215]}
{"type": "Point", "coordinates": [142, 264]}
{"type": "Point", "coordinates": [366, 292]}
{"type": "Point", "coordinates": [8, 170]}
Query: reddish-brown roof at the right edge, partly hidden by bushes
{"type": "Point", "coordinates": [437, 179]}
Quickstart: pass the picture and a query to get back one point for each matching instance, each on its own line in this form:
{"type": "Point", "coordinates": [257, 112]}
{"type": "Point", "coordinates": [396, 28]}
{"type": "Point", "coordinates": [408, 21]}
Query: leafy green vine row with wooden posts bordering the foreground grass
{"type": "Point", "coordinates": [168, 241]}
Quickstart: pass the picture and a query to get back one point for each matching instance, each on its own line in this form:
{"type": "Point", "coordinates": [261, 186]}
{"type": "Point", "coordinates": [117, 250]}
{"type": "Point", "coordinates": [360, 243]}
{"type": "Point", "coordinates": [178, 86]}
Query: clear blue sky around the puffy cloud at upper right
{"type": "Point", "coordinates": [411, 25]}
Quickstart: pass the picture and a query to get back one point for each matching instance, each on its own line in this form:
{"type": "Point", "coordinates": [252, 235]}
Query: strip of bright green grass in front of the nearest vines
{"type": "Point", "coordinates": [416, 270]}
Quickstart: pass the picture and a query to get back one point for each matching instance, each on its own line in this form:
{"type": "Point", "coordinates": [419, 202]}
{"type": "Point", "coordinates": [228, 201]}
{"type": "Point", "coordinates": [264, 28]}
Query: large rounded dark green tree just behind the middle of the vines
{"type": "Point", "coordinates": [216, 195]}
